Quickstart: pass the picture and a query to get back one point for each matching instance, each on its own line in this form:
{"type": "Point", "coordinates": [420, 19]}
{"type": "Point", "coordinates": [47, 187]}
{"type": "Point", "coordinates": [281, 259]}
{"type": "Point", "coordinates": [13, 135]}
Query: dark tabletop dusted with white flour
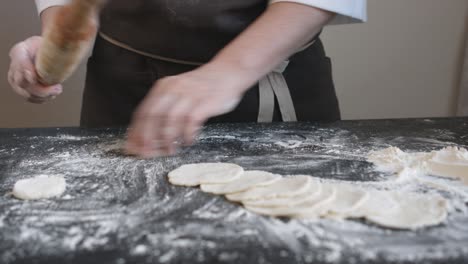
{"type": "Point", "coordinates": [119, 209]}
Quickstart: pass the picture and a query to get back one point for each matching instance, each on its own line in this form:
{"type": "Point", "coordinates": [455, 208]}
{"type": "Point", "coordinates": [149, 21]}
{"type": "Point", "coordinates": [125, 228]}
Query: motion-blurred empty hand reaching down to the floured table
{"type": "Point", "coordinates": [176, 108]}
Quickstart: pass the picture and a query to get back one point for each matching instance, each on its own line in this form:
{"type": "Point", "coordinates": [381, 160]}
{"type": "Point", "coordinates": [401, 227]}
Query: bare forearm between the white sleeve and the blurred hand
{"type": "Point", "coordinates": [277, 34]}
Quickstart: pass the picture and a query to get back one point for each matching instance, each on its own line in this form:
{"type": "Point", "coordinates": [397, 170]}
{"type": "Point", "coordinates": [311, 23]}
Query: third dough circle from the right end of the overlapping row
{"type": "Point", "coordinates": [348, 199]}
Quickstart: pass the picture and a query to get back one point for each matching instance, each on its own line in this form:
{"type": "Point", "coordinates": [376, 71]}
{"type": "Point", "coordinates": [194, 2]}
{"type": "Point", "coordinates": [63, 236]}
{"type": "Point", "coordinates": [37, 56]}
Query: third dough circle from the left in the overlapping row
{"type": "Point", "coordinates": [288, 186]}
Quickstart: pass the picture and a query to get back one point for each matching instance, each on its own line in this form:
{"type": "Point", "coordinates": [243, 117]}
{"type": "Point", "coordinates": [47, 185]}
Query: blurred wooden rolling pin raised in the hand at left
{"type": "Point", "coordinates": [67, 40]}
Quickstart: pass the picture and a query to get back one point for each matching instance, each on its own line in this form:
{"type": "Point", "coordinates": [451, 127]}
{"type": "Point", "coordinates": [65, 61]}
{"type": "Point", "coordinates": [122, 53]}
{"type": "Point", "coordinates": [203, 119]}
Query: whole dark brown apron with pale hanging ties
{"type": "Point", "coordinates": [144, 40]}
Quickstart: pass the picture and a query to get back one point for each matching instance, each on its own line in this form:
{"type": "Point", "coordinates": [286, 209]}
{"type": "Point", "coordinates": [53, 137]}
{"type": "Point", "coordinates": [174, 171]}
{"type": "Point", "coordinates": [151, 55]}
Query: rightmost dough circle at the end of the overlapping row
{"type": "Point", "coordinates": [413, 211]}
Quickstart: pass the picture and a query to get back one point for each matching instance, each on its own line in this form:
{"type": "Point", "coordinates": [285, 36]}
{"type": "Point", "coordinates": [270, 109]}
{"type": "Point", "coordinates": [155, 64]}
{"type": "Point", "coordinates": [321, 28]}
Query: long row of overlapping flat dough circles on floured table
{"type": "Point", "coordinates": [307, 197]}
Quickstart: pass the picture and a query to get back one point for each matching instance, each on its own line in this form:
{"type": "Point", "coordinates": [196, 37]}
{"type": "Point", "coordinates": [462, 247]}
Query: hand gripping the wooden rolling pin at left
{"type": "Point", "coordinates": [23, 77]}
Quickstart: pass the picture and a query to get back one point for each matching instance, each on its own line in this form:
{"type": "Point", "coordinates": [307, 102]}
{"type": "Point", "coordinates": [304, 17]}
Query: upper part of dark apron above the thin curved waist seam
{"type": "Point", "coordinates": [191, 30]}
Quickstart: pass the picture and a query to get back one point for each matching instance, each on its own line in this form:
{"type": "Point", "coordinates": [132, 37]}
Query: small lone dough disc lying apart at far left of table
{"type": "Point", "coordinates": [39, 187]}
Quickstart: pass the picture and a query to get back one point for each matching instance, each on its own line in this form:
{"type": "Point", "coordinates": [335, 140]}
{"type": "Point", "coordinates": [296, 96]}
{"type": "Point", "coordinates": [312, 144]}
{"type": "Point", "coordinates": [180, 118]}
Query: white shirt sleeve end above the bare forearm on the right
{"type": "Point", "coordinates": [347, 11]}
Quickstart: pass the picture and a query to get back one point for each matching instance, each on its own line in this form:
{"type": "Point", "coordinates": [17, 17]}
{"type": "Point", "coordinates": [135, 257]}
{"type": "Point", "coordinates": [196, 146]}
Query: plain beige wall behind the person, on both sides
{"type": "Point", "coordinates": [405, 62]}
